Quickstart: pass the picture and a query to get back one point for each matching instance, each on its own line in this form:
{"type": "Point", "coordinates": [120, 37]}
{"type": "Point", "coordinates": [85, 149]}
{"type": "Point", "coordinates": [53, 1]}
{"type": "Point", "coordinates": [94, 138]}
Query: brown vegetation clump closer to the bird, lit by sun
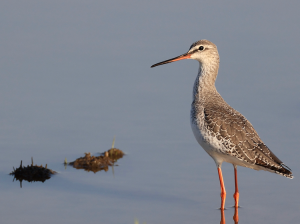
{"type": "Point", "coordinates": [98, 163]}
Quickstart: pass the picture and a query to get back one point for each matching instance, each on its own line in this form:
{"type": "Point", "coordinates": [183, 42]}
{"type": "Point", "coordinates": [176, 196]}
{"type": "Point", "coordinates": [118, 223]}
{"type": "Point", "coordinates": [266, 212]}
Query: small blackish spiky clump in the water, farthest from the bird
{"type": "Point", "coordinates": [32, 173]}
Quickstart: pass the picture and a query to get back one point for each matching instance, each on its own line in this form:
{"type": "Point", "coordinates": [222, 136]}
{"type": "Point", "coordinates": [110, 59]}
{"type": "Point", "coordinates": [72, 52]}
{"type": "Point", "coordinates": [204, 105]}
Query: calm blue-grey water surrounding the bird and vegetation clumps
{"type": "Point", "coordinates": [76, 73]}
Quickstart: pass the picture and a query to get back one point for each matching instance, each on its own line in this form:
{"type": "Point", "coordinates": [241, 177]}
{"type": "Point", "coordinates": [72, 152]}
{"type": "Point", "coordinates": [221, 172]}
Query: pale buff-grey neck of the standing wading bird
{"type": "Point", "coordinates": [205, 82]}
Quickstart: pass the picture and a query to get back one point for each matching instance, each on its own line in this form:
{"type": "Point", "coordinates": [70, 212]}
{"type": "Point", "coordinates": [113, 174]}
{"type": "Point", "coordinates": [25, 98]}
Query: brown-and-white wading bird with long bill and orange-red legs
{"type": "Point", "coordinates": [224, 133]}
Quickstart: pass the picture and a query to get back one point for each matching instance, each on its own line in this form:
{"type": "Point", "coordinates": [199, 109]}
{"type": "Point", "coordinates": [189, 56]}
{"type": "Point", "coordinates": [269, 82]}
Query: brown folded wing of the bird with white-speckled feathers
{"type": "Point", "coordinates": [240, 138]}
